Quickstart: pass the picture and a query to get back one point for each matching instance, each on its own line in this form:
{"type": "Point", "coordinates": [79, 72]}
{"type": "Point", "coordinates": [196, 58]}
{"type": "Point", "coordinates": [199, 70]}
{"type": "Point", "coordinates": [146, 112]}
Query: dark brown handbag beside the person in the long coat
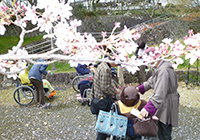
{"type": "Point", "coordinates": [147, 127]}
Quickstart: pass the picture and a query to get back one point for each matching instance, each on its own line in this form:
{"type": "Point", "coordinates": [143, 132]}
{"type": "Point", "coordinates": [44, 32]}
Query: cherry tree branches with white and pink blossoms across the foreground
{"type": "Point", "coordinates": [77, 48]}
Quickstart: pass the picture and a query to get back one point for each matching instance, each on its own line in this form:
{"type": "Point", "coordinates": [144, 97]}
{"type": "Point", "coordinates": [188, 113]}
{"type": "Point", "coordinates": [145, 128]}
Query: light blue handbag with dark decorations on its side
{"type": "Point", "coordinates": [111, 123]}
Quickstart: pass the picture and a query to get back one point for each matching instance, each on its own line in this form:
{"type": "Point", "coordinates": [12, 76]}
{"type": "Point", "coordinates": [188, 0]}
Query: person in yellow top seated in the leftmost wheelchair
{"type": "Point", "coordinates": [49, 90]}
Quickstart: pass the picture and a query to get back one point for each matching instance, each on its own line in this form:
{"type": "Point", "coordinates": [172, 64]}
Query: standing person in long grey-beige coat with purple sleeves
{"type": "Point", "coordinates": [164, 103]}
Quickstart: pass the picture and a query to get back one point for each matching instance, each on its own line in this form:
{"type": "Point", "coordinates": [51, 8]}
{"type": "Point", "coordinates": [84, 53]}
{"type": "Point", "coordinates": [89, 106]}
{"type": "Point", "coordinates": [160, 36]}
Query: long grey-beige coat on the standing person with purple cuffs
{"type": "Point", "coordinates": [165, 97]}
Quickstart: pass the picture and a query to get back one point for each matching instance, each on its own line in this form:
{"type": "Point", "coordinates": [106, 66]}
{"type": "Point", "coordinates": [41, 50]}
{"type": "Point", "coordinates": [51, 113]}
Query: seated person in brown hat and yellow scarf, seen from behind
{"type": "Point", "coordinates": [130, 98]}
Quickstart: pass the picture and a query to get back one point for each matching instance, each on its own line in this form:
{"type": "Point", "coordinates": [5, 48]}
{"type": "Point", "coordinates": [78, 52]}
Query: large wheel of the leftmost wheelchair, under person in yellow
{"type": "Point", "coordinates": [24, 95]}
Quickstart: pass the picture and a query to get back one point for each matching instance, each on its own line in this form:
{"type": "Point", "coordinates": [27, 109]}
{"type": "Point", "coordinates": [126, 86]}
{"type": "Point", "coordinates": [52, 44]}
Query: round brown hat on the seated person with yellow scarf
{"type": "Point", "coordinates": [129, 96]}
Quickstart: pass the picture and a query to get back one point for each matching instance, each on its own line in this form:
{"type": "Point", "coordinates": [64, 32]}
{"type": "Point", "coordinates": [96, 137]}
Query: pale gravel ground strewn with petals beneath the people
{"type": "Point", "coordinates": [68, 119]}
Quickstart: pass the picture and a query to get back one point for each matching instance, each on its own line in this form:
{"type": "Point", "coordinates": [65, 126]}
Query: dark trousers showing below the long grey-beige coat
{"type": "Point", "coordinates": [164, 131]}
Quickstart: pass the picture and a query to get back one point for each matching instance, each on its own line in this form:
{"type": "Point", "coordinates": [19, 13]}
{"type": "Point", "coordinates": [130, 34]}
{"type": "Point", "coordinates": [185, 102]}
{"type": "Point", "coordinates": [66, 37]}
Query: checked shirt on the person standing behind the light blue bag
{"type": "Point", "coordinates": [102, 81]}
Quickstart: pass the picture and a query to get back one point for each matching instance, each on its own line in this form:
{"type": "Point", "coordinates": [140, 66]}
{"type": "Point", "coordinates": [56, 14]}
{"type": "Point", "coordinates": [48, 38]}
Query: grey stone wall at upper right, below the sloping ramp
{"type": "Point", "coordinates": [174, 29]}
